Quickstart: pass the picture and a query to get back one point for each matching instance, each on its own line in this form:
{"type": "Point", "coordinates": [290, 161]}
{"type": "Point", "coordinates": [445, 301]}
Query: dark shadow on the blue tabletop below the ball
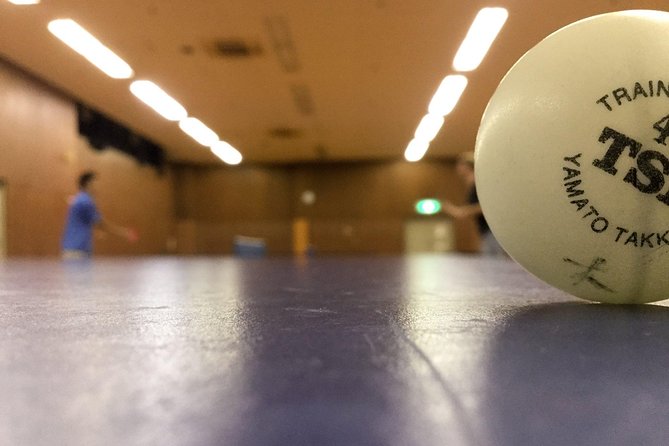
{"type": "Point", "coordinates": [580, 374]}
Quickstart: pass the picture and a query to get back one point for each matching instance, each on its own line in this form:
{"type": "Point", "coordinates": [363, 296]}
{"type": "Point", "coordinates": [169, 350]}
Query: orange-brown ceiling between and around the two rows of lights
{"type": "Point", "coordinates": [340, 80]}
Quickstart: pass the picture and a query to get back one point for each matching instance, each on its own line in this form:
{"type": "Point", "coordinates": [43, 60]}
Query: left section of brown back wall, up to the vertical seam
{"type": "Point", "coordinates": [213, 205]}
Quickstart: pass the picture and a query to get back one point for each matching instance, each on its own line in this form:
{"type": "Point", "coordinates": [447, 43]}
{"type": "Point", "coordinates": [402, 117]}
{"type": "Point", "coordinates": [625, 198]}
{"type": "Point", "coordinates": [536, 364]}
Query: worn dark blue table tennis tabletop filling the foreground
{"type": "Point", "coordinates": [433, 350]}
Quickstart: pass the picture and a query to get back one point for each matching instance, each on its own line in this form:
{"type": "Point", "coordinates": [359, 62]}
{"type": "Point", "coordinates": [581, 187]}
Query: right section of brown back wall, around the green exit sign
{"type": "Point", "coordinates": [363, 208]}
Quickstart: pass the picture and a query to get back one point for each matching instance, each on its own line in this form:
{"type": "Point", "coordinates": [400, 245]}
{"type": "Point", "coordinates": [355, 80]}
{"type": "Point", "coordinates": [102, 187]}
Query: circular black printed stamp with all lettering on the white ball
{"type": "Point", "coordinates": [642, 166]}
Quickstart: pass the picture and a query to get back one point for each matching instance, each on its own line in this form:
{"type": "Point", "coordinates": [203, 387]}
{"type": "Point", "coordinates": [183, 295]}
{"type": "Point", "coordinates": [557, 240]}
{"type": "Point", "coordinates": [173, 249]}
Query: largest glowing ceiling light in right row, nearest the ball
{"type": "Point", "coordinates": [479, 38]}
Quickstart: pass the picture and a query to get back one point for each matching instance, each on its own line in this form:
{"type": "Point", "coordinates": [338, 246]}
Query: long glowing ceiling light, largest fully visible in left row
{"type": "Point", "coordinates": [84, 43]}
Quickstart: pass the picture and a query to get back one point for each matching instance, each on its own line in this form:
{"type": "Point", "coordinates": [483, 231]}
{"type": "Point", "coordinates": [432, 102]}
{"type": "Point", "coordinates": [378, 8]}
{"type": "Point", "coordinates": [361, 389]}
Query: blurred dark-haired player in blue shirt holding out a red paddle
{"type": "Point", "coordinates": [83, 217]}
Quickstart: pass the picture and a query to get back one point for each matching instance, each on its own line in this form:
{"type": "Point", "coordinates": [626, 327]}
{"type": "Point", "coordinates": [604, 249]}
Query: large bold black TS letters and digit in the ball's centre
{"type": "Point", "coordinates": [646, 177]}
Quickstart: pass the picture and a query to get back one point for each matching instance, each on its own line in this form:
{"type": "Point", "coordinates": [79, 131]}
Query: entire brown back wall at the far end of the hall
{"type": "Point", "coordinates": [360, 208]}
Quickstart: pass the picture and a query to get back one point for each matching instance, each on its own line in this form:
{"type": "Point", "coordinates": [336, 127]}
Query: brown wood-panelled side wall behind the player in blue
{"type": "Point", "coordinates": [41, 155]}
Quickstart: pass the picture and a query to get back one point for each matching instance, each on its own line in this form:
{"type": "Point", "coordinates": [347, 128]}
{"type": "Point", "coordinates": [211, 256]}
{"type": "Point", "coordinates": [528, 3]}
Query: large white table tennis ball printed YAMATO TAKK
{"type": "Point", "coordinates": [572, 158]}
